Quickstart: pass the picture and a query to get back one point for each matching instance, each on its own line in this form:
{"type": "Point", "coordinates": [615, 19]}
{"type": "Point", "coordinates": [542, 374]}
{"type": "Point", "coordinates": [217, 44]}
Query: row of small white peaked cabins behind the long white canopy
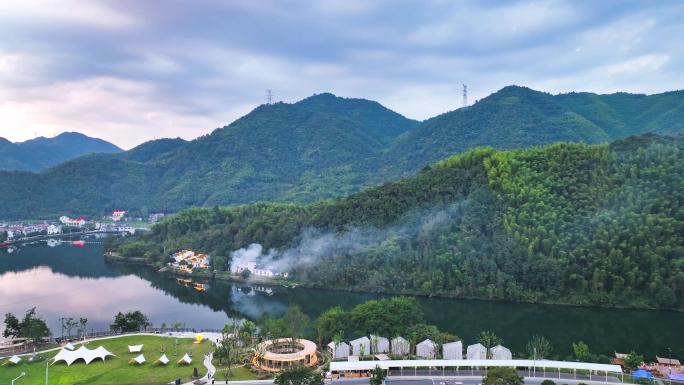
{"type": "Point", "coordinates": [428, 349]}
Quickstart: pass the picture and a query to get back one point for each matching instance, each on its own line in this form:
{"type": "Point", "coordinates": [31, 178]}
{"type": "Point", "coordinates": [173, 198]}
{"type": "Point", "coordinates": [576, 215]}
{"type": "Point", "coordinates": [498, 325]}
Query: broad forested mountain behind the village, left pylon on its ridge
{"type": "Point", "coordinates": [320, 147]}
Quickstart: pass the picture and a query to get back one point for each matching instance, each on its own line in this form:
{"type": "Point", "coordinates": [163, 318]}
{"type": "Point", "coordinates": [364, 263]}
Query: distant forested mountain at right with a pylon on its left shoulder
{"type": "Point", "coordinates": [518, 117]}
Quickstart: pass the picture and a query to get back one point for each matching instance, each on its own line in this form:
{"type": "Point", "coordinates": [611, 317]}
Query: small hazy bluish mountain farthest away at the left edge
{"type": "Point", "coordinates": [40, 153]}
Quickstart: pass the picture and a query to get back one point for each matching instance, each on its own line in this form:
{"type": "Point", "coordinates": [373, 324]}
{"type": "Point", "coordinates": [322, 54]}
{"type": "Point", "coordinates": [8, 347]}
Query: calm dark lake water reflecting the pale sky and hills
{"type": "Point", "coordinates": [71, 281]}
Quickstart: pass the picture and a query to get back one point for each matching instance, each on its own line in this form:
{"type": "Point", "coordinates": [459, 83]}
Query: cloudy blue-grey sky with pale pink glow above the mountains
{"type": "Point", "coordinates": [131, 71]}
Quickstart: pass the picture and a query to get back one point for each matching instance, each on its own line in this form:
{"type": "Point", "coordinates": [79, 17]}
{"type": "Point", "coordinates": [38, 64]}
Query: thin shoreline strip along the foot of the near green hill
{"type": "Point", "coordinates": [227, 277]}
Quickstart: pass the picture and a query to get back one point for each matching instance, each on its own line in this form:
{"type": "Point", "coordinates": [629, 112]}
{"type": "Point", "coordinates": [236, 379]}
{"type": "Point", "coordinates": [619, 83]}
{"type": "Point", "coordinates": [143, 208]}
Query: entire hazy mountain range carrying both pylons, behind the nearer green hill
{"type": "Point", "coordinates": [324, 147]}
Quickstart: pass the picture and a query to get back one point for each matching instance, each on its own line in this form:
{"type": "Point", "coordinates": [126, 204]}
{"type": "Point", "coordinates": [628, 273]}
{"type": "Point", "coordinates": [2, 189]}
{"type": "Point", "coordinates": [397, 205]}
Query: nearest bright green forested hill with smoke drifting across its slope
{"type": "Point", "coordinates": [571, 223]}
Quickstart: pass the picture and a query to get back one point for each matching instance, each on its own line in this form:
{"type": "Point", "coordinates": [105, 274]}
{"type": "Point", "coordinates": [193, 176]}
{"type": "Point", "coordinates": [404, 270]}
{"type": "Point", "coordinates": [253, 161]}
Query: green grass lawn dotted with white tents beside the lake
{"type": "Point", "coordinates": [116, 370]}
